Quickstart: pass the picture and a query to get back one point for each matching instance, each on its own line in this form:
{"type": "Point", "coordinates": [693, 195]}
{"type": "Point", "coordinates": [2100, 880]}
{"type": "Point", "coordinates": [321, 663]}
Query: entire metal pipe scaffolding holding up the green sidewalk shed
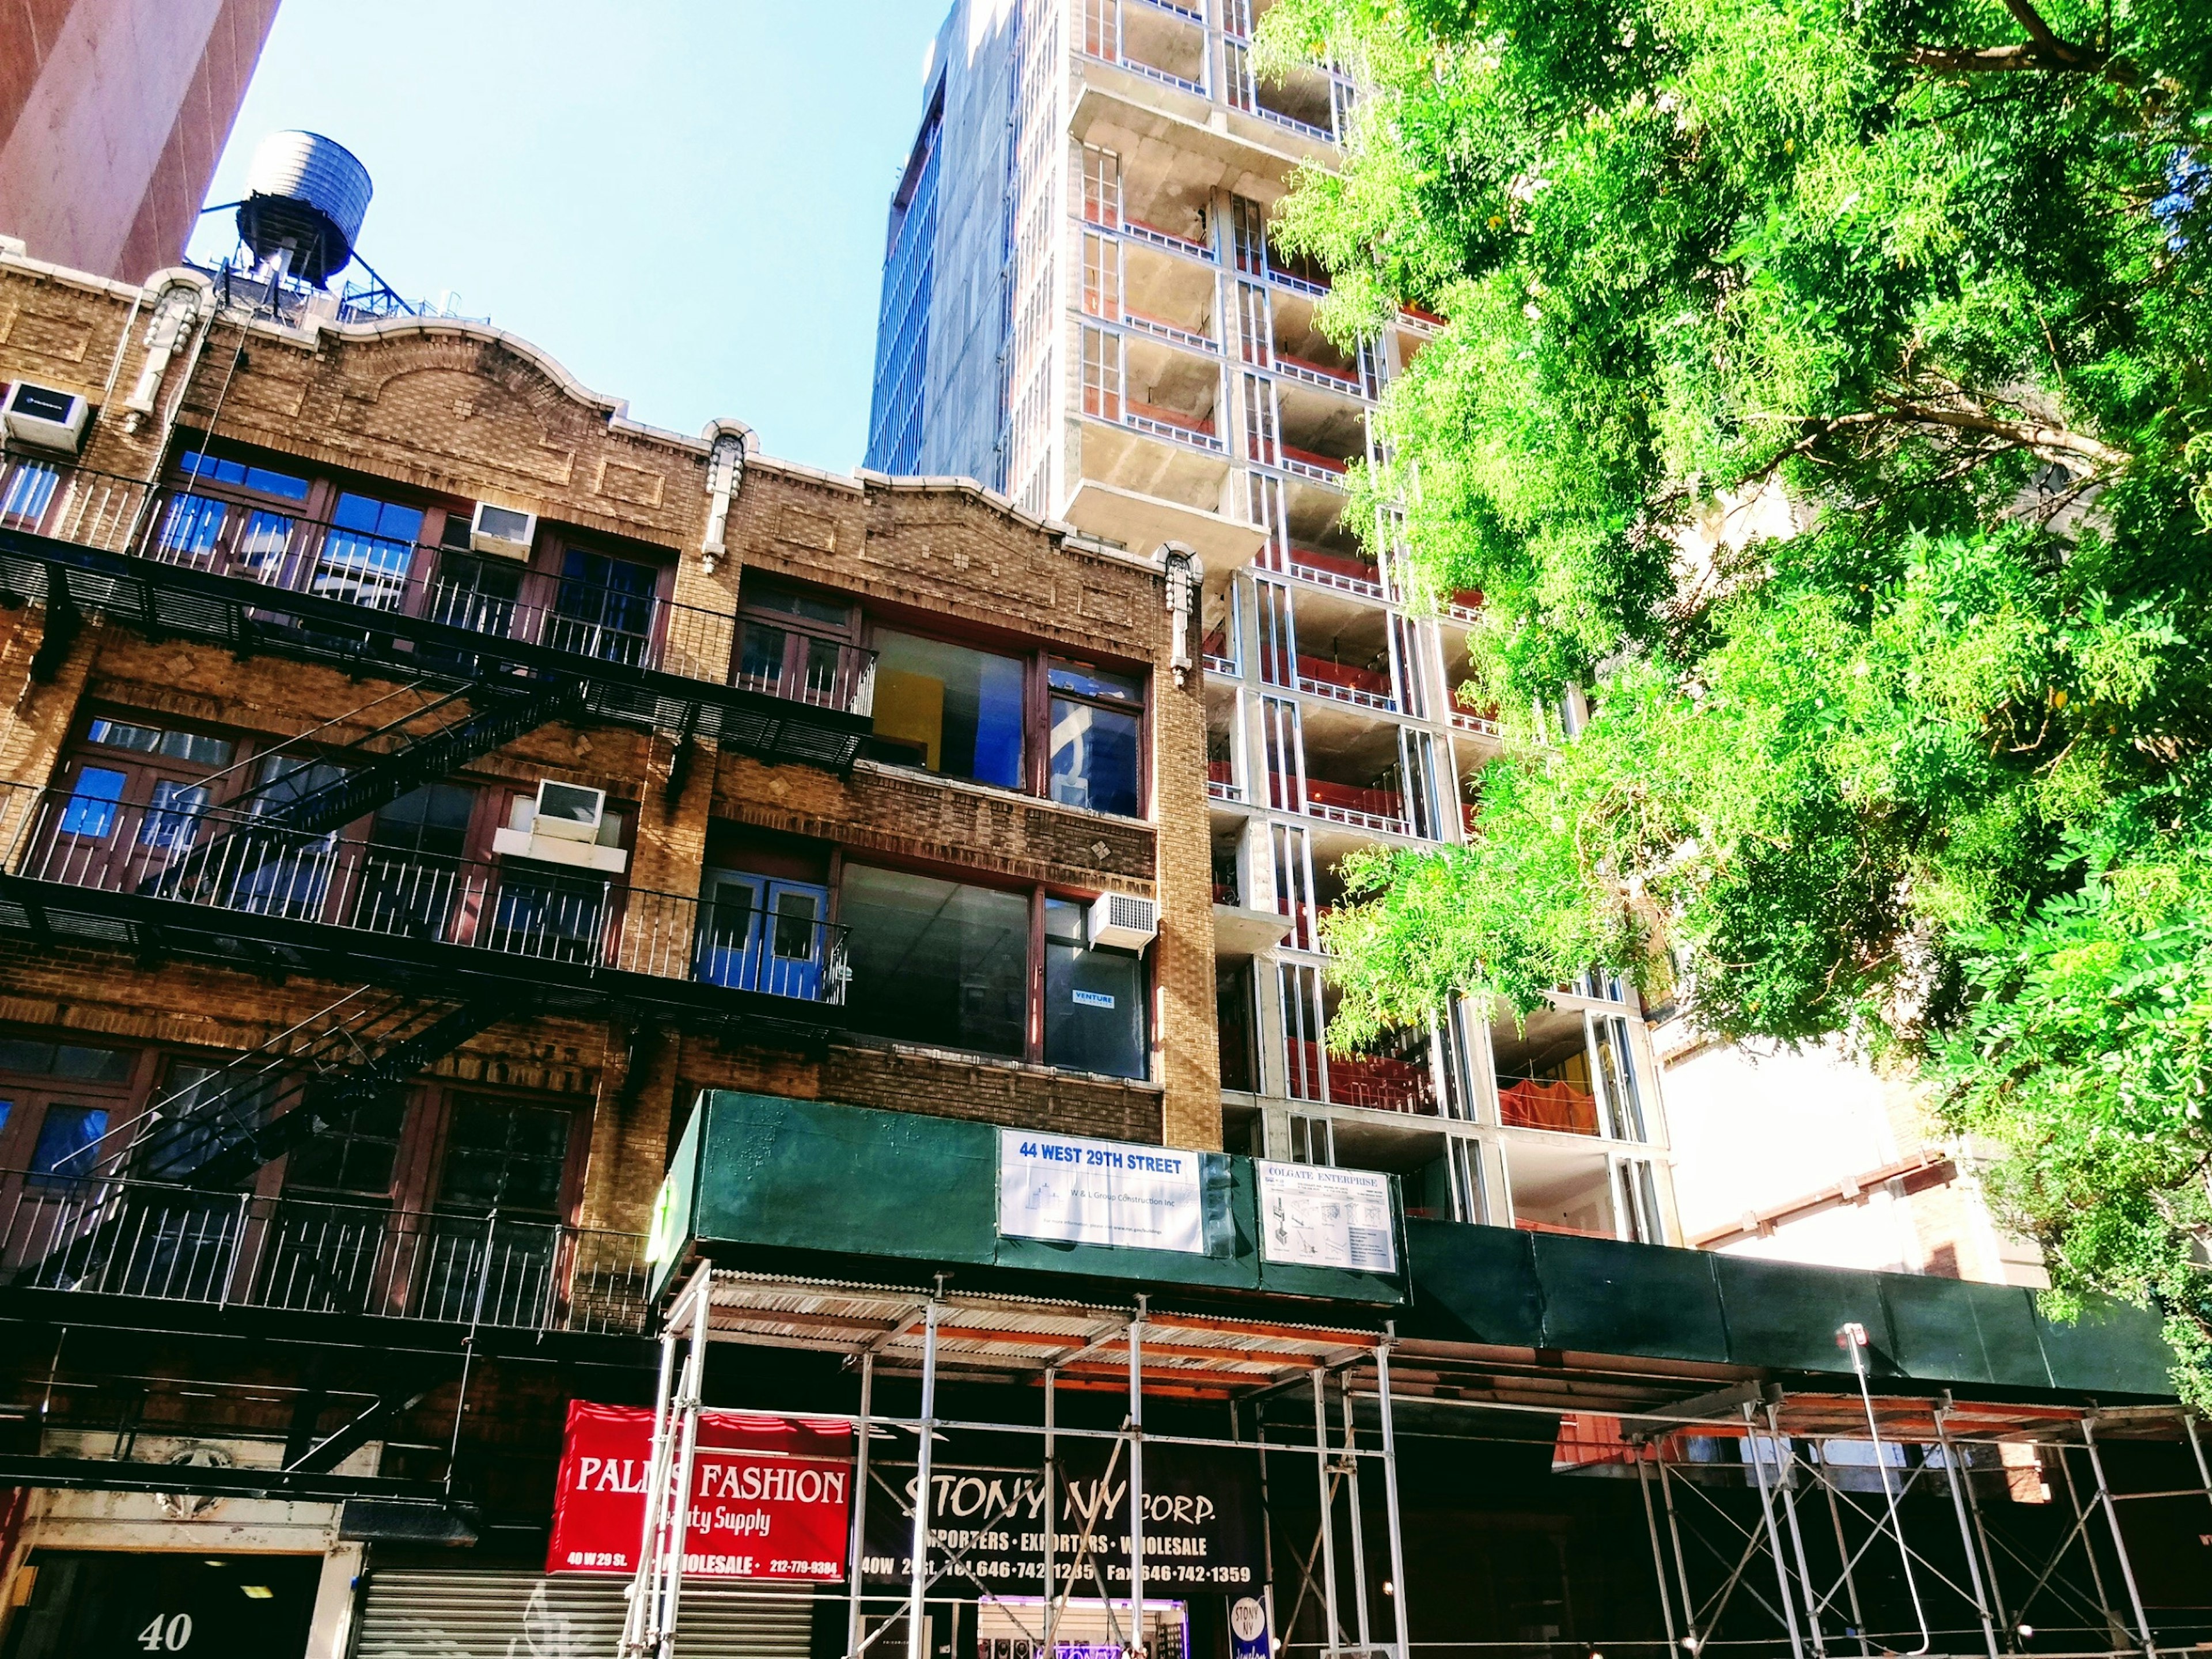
{"type": "Point", "coordinates": [1811, 1609]}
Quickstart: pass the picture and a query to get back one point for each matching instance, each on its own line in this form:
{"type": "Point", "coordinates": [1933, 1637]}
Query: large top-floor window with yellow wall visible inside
{"type": "Point", "coordinates": [950, 709]}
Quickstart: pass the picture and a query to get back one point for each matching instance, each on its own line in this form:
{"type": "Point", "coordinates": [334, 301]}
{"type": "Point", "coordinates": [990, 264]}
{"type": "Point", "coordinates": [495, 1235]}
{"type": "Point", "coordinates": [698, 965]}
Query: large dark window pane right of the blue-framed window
{"type": "Point", "coordinates": [937, 961]}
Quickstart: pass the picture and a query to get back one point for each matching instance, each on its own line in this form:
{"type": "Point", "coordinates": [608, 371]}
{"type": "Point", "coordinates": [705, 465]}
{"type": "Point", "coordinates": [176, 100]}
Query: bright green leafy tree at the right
{"type": "Point", "coordinates": [1826, 390]}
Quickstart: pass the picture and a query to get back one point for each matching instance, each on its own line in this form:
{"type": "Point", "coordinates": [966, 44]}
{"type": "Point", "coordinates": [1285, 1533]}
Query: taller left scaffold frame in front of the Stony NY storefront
{"type": "Point", "coordinates": [1003, 1339]}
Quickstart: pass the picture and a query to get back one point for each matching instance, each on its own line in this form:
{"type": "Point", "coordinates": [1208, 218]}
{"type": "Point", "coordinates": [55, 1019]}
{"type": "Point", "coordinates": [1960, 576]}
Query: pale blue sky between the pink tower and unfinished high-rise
{"type": "Point", "coordinates": [680, 200]}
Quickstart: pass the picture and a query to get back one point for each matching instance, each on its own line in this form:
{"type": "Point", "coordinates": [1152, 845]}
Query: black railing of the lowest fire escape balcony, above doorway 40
{"type": "Point", "coordinates": [315, 1255]}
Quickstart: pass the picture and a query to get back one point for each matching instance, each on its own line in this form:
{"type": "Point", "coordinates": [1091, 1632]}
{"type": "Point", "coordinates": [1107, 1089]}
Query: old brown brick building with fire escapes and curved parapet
{"type": "Point", "coordinates": [419, 784]}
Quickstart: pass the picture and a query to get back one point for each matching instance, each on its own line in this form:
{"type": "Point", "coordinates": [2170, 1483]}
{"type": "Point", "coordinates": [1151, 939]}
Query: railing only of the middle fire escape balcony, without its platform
{"type": "Point", "coordinates": [229, 862]}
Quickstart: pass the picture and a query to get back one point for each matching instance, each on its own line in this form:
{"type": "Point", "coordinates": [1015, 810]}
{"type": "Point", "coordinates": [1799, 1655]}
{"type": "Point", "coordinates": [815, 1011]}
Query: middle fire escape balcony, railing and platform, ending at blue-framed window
{"type": "Point", "coordinates": [227, 886]}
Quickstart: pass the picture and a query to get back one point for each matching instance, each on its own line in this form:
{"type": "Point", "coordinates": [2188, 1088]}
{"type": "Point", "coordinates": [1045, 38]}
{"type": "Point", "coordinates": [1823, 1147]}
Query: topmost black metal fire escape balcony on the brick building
{"type": "Point", "coordinates": [207, 565]}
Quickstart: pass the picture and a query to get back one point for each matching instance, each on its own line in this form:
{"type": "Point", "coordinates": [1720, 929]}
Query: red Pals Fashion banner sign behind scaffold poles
{"type": "Point", "coordinates": [771, 1496]}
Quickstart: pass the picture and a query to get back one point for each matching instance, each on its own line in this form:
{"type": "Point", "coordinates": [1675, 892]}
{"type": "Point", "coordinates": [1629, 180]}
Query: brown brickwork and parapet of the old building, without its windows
{"type": "Point", "coordinates": [466, 413]}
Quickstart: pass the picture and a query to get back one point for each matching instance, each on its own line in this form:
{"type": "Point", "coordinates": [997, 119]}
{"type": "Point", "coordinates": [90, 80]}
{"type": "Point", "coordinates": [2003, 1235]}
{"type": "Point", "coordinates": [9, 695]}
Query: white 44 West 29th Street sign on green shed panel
{"type": "Point", "coordinates": [1103, 1193]}
